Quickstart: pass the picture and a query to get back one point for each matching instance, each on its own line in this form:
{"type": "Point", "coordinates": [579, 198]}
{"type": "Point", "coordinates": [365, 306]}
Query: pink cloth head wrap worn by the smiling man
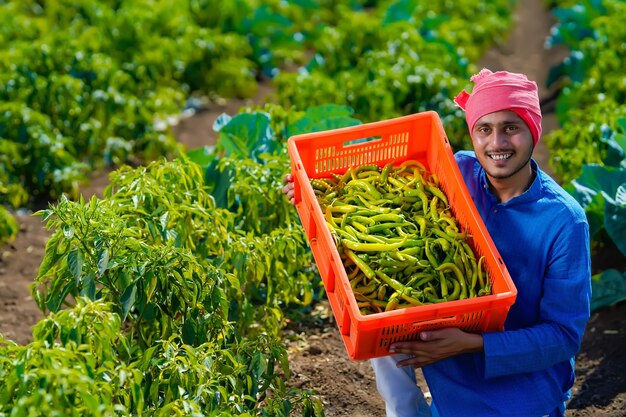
{"type": "Point", "coordinates": [501, 90]}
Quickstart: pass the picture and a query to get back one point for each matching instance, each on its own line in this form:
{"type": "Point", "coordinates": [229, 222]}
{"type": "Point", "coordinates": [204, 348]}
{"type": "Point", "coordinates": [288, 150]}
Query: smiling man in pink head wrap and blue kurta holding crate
{"type": "Point", "coordinates": [541, 233]}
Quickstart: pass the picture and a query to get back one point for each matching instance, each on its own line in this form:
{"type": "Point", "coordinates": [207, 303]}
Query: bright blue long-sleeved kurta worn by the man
{"type": "Point", "coordinates": [527, 370]}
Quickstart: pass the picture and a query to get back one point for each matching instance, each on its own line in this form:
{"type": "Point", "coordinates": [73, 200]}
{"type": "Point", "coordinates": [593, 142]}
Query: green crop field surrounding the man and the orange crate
{"type": "Point", "coordinates": [150, 264]}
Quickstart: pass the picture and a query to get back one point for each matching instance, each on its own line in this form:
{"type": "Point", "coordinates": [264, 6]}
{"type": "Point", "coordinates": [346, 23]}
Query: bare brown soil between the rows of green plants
{"type": "Point", "coordinates": [318, 357]}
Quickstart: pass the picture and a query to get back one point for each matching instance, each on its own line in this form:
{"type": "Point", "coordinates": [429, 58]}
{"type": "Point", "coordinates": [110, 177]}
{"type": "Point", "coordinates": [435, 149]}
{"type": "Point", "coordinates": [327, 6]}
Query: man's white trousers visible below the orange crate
{"type": "Point", "coordinates": [398, 388]}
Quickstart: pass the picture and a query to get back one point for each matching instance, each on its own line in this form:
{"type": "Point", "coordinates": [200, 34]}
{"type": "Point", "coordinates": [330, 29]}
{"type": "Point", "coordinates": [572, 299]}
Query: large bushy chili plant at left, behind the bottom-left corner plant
{"type": "Point", "coordinates": [135, 249]}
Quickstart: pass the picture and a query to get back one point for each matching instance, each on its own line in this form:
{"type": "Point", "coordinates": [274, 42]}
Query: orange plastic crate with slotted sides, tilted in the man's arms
{"type": "Point", "coordinates": [419, 137]}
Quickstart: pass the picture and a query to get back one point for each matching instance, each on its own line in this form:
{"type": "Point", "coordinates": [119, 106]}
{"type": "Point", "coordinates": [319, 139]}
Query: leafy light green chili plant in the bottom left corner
{"type": "Point", "coordinates": [73, 366]}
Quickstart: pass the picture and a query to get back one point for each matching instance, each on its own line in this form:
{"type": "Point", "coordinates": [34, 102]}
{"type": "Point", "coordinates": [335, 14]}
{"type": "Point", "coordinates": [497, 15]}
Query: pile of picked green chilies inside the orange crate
{"type": "Point", "coordinates": [398, 239]}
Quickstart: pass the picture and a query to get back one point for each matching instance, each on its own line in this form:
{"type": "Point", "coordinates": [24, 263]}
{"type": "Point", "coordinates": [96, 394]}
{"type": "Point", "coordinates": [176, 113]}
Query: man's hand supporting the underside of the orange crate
{"type": "Point", "coordinates": [435, 345]}
